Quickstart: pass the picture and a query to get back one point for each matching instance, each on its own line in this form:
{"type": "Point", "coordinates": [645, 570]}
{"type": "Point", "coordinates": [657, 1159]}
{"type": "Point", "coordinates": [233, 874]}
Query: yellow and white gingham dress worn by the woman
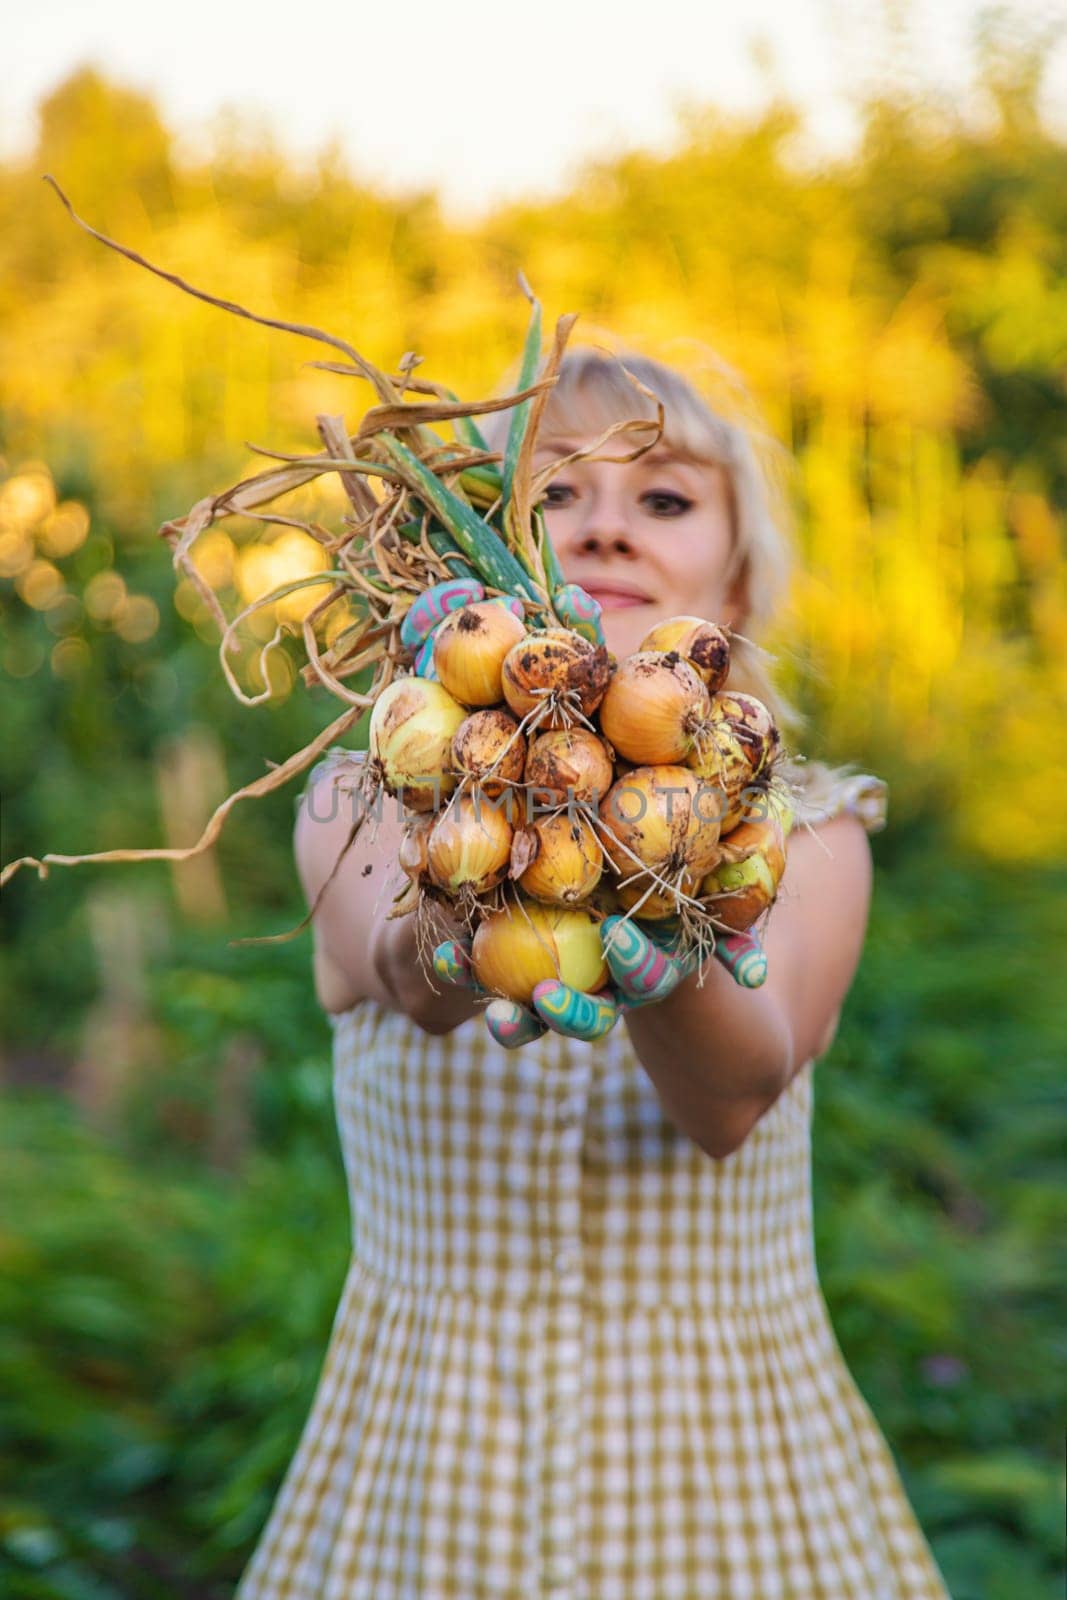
{"type": "Point", "coordinates": [575, 1358]}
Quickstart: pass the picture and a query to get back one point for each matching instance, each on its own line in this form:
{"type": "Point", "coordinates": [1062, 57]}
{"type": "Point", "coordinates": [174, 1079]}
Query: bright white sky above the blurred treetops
{"type": "Point", "coordinates": [489, 100]}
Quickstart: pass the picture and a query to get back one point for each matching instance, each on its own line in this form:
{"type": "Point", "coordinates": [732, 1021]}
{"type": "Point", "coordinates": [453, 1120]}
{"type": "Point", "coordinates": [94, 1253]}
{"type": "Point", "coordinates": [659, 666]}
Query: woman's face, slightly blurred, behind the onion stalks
{"type": "Point", "coordinates": [649, 540]}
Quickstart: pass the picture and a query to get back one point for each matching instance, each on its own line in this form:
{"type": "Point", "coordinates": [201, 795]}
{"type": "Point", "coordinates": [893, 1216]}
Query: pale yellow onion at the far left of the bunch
{"type": "Point", "coordinates": [412, 740]}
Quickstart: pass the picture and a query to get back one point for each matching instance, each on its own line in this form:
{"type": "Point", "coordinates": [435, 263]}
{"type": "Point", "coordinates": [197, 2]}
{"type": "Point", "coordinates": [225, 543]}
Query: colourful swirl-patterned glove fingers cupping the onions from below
{"type": "Point", "coordinates": [644, 970]}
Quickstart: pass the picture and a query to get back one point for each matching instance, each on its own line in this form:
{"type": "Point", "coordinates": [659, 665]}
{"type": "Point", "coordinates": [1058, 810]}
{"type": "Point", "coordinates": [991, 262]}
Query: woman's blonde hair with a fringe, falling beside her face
{"type": "Point", "coordinates": [591, 394]}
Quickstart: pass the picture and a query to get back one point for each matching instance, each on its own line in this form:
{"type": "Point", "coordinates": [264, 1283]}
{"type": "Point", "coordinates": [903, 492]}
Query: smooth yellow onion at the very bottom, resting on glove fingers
{"type": "Point", "coordinates": [526, 945]}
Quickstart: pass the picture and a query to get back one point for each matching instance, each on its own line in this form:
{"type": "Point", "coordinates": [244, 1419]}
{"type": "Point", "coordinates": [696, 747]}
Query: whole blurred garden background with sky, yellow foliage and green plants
{"type": "Point", "coordinates": [861, 210]}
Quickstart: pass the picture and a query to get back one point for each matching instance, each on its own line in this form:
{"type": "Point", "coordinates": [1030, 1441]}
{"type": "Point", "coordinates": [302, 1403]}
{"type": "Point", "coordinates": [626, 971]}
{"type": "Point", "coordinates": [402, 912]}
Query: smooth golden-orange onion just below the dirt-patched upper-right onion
{"type": "Point", "coordinates": [657, 710]}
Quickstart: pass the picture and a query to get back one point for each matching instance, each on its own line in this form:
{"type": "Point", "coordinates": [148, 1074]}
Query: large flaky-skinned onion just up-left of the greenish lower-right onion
{"type": "Point", "coordinates": [658, 825]}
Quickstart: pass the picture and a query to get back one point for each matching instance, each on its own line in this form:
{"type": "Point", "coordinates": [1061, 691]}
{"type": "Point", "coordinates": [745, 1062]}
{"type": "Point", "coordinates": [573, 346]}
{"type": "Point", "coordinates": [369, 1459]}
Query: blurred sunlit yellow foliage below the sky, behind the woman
{"type": "Point", "coordinates": [892, 337]}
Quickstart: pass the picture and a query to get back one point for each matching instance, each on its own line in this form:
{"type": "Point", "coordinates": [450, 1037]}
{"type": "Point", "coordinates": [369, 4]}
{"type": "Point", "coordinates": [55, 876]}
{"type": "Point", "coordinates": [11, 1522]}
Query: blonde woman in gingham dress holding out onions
{"type": "Point", "coordinates": [581, 1350]}
